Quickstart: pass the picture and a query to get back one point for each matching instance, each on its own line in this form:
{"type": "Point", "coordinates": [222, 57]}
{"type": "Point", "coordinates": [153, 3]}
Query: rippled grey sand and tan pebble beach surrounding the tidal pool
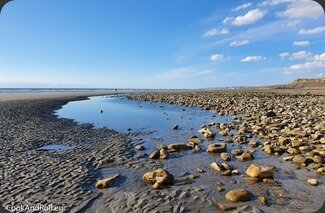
{"type": "Point", "coordinates": [289, 125]}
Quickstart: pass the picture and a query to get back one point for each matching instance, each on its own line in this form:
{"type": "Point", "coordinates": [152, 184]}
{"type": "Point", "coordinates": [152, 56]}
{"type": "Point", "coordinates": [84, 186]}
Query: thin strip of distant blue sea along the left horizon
{"type": "Point", "coordinates": [38, 90]}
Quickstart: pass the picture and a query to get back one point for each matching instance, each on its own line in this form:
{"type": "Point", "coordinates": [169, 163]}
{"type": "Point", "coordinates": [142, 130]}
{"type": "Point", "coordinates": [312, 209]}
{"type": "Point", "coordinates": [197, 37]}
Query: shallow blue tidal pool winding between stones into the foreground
{"type": "Point", "coordinates": [156, 120]}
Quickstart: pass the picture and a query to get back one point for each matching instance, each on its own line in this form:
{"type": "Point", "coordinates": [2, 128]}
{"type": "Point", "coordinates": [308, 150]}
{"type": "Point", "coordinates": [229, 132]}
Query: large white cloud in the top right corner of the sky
{"type": "Point", "coordinates": [302, 9]}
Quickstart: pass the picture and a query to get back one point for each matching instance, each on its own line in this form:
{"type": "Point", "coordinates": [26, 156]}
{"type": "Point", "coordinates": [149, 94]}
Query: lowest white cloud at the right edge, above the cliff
{"type": "Point", "coordinates": [317, 64]}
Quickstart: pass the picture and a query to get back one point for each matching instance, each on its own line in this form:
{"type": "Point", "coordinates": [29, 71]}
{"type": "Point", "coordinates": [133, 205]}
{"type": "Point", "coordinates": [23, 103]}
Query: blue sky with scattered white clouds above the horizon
{"type": "Point", "coordinates": [160, 44]}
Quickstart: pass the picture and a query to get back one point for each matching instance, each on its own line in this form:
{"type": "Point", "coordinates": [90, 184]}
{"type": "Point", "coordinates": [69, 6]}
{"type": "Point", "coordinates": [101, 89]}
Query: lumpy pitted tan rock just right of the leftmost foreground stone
{"type": "Point", "coordinates": [159, 176]}
